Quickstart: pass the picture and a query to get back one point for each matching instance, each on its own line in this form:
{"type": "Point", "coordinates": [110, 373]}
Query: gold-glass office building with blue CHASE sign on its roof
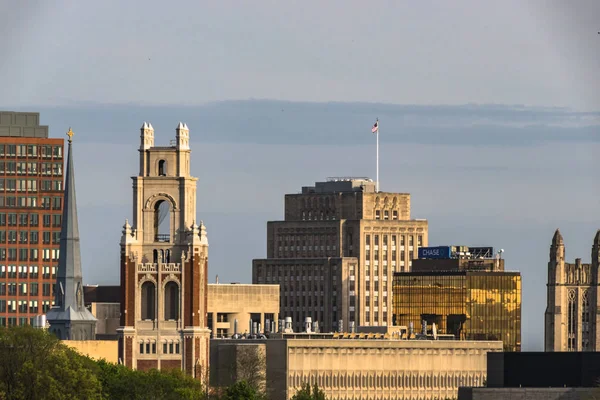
{"type": "Point", "coordinates": [483, 303]}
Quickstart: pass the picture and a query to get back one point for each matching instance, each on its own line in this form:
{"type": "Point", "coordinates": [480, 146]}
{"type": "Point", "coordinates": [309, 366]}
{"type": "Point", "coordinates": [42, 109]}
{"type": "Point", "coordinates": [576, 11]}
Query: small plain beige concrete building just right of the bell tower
{"type": "Point", "coordinates": [236, 308]}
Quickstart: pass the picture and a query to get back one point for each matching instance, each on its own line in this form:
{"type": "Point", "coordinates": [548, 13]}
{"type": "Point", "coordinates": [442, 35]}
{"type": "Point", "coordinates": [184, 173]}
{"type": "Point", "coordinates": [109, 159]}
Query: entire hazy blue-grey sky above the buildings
{"type": "Point", "coordinates": [489, 114]}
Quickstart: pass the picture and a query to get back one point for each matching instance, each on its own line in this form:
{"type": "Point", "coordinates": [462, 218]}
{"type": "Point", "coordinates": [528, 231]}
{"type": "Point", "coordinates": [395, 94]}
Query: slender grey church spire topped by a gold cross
{"type": "Point", "coordinates": [69, 319]}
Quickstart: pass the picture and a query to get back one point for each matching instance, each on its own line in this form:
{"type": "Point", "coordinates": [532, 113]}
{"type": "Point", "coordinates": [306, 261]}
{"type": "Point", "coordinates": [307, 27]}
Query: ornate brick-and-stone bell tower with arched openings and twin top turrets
{"type": "Point", "coordinates": [164, 261]}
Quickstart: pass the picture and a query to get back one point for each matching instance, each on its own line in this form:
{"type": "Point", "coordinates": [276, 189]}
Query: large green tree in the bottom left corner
{"type": "Point", "coordinates": [34, 365]}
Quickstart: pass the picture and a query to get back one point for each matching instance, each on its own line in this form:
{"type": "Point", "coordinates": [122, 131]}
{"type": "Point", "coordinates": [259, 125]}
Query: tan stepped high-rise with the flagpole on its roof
{"type": "Point", "coordinates": [336, 251]}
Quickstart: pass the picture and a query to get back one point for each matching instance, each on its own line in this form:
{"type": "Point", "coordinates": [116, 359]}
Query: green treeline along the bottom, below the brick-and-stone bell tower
{"type": "Point", "coordinates": [34, 365]}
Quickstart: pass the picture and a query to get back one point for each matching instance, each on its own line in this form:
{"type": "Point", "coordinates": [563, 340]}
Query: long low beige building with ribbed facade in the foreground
{"type": "Point", "coordinates": [353, 369]}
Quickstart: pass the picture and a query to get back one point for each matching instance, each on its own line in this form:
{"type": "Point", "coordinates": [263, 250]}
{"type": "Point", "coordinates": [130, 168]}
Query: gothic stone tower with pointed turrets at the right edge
{"type": "Point", "coordinates": [573, 307]}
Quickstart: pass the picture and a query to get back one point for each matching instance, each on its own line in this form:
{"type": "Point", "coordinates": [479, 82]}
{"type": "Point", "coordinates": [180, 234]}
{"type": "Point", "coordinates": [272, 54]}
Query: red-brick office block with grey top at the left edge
{"type": "Point", "coordinates": [31, 204]}
